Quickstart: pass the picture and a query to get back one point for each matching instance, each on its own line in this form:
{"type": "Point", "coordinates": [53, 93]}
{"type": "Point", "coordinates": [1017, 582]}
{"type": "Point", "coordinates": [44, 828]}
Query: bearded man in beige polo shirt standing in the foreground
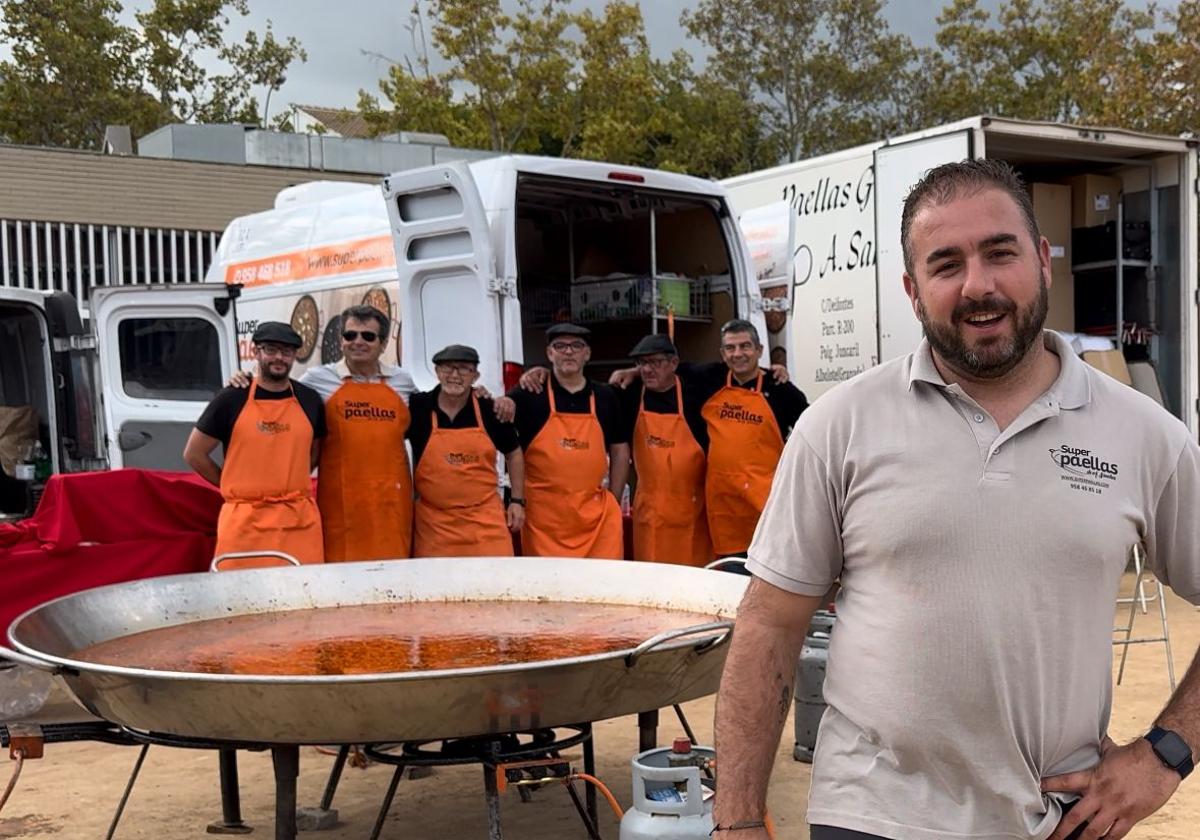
{"type": "Point", "coordinates": [977, 501]}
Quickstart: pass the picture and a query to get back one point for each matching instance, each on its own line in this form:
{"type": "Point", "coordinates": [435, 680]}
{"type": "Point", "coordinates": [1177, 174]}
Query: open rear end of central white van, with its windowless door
{"type": "Point", "coordinates": [491, 254]}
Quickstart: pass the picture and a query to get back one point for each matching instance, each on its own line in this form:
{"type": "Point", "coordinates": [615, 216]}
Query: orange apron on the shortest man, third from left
{"type": "Point", "coordinates": [459, 512]}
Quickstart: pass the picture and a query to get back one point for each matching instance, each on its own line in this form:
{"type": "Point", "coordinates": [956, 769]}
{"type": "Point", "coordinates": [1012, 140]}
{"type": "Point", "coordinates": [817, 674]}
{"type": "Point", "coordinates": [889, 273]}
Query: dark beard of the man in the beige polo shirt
{"type": "Point", "coordinates": [995, 358]}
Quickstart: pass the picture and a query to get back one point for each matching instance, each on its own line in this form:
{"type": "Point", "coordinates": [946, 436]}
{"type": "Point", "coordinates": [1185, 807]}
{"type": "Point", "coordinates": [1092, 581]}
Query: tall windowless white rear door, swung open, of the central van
{"type": "Point", "coordinates": [449, 291]}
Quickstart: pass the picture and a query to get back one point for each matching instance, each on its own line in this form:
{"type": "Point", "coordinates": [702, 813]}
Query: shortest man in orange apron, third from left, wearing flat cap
{"type": "Point", "coordinates": [455, 439]}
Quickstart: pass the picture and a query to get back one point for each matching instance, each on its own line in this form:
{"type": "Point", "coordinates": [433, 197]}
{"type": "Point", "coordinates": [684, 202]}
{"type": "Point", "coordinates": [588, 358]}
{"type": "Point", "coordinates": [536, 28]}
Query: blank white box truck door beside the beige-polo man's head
{"type": "Point", "coordinates": [897, 170]}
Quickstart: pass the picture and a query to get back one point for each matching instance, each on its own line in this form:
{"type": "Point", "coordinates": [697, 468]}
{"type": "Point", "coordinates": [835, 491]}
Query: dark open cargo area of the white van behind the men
{"type": "Point", "coordinates": [627, 259]}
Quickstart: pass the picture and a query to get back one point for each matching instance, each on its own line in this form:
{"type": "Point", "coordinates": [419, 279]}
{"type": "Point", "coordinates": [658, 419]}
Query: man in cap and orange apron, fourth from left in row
{"type": "Point", "coordinates": [573, 439]}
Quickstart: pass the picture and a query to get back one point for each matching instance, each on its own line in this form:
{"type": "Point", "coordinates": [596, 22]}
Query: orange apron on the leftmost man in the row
{"type": "Point", "coordinates": [266, 485]}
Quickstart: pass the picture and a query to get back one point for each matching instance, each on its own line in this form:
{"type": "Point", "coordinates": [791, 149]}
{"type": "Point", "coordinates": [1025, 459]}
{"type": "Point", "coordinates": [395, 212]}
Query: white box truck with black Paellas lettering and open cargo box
{"type": "Point", "coordinates": [842, 305]}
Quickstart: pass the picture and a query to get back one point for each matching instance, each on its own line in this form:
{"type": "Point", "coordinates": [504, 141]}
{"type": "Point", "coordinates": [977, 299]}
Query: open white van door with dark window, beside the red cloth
{"type": "Point", "coordinates": [165, 352]}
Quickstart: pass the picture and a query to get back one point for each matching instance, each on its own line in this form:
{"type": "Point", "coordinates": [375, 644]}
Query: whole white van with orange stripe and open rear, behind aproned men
{"type": "Point", "coordinates": [491, 254]}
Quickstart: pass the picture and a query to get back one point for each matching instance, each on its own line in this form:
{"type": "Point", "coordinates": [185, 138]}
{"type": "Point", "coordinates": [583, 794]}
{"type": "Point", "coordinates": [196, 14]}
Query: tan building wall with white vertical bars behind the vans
{"type": "Point", "coordinates": [73, 221]}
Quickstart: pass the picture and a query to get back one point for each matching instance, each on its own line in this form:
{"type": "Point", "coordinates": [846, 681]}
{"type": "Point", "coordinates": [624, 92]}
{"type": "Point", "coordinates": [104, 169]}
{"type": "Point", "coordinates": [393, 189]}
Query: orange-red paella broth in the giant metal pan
{"type": "Point", "coordinates": [391, 638]}
